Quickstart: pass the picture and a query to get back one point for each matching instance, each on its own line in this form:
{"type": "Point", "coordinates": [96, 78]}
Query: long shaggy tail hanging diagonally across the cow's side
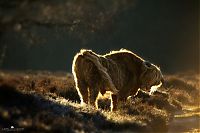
{"type": "Point", "coordinates": [88, 54]}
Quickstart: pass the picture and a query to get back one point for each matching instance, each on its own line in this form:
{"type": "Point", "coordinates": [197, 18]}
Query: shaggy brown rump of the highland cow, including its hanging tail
{"type": "Point", "coordinates": [88, 69]}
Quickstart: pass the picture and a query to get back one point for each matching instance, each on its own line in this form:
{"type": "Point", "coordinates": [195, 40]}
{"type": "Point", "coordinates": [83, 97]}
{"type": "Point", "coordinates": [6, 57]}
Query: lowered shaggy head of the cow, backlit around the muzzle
{"type": "Point", "coordinates": [150, 76]}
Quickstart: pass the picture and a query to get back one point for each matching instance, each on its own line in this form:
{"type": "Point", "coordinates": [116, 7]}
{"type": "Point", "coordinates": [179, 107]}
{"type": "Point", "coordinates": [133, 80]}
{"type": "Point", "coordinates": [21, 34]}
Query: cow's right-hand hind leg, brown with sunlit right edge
{"type": "Point", "coordinates": [93, 97]}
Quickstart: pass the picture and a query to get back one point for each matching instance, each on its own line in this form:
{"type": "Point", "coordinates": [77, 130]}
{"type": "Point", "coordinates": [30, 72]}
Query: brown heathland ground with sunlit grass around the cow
{"type": "Point", "coordinates": [42, 101]}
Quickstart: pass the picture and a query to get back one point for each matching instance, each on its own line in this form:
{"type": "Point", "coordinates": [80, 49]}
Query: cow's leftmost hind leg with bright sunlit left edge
{"type": "Point", "coordinates": [83, 92]}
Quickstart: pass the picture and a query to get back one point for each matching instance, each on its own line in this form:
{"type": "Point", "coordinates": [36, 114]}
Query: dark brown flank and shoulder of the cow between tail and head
{"type": "Point", "coordinates": [127, 71]}
